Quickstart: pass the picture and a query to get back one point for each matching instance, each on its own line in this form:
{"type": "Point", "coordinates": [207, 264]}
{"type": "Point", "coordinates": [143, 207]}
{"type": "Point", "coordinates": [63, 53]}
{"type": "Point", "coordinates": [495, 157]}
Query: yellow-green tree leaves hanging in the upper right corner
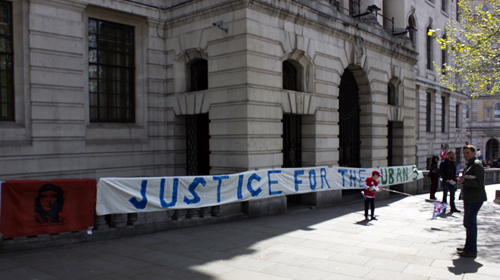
{"type": "Point", "coordinates": [473, 45]}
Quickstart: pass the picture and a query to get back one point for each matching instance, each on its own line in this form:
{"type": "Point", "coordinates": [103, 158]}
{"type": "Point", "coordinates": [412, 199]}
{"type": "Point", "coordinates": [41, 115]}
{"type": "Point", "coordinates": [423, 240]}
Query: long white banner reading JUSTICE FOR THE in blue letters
{"type": "Point", "coordinates": [131, 195]}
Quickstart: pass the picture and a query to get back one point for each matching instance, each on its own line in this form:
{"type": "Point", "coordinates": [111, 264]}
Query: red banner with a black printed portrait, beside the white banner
{"type": "Point", "coordinates": [32, 207]}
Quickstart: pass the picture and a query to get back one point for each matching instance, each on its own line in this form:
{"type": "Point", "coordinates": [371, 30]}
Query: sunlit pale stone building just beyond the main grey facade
{"type": "Point", "coordinates": [440, 112]}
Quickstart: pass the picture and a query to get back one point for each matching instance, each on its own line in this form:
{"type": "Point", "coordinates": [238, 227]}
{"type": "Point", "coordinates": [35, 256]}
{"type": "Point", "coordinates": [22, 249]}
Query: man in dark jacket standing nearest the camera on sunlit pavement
{"type": "Point", "coordinates": [474, 195]}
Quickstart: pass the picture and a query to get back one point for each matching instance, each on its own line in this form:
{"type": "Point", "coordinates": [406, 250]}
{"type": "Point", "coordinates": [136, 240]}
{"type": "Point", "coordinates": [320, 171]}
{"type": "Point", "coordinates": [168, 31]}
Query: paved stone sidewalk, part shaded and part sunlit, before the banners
{"type": "Point", "coordinates": [331, 243]}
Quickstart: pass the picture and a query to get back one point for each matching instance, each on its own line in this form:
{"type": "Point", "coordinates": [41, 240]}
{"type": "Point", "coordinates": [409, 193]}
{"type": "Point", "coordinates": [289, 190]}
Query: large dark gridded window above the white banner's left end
{"type": "Point", "coordinates": [111, 72]}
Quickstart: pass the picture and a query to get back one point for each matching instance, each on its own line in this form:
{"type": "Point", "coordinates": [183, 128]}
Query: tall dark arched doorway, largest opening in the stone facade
{"type": "Point", "coordinates": [349, 121]}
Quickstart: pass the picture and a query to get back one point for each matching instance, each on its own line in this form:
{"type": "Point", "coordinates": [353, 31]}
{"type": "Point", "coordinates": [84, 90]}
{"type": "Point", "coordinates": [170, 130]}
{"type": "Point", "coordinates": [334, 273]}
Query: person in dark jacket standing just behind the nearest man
{"type": "Point", "coordinates": [448, 172]}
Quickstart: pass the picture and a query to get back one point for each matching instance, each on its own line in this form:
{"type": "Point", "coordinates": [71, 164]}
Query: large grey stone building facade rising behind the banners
{"type": "Point", "coordinates": [105, 88]}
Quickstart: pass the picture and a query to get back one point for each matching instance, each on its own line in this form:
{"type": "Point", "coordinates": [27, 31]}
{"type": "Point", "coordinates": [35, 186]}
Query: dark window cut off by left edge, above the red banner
{"type": "Point", "coordinates": [6, 63]}
